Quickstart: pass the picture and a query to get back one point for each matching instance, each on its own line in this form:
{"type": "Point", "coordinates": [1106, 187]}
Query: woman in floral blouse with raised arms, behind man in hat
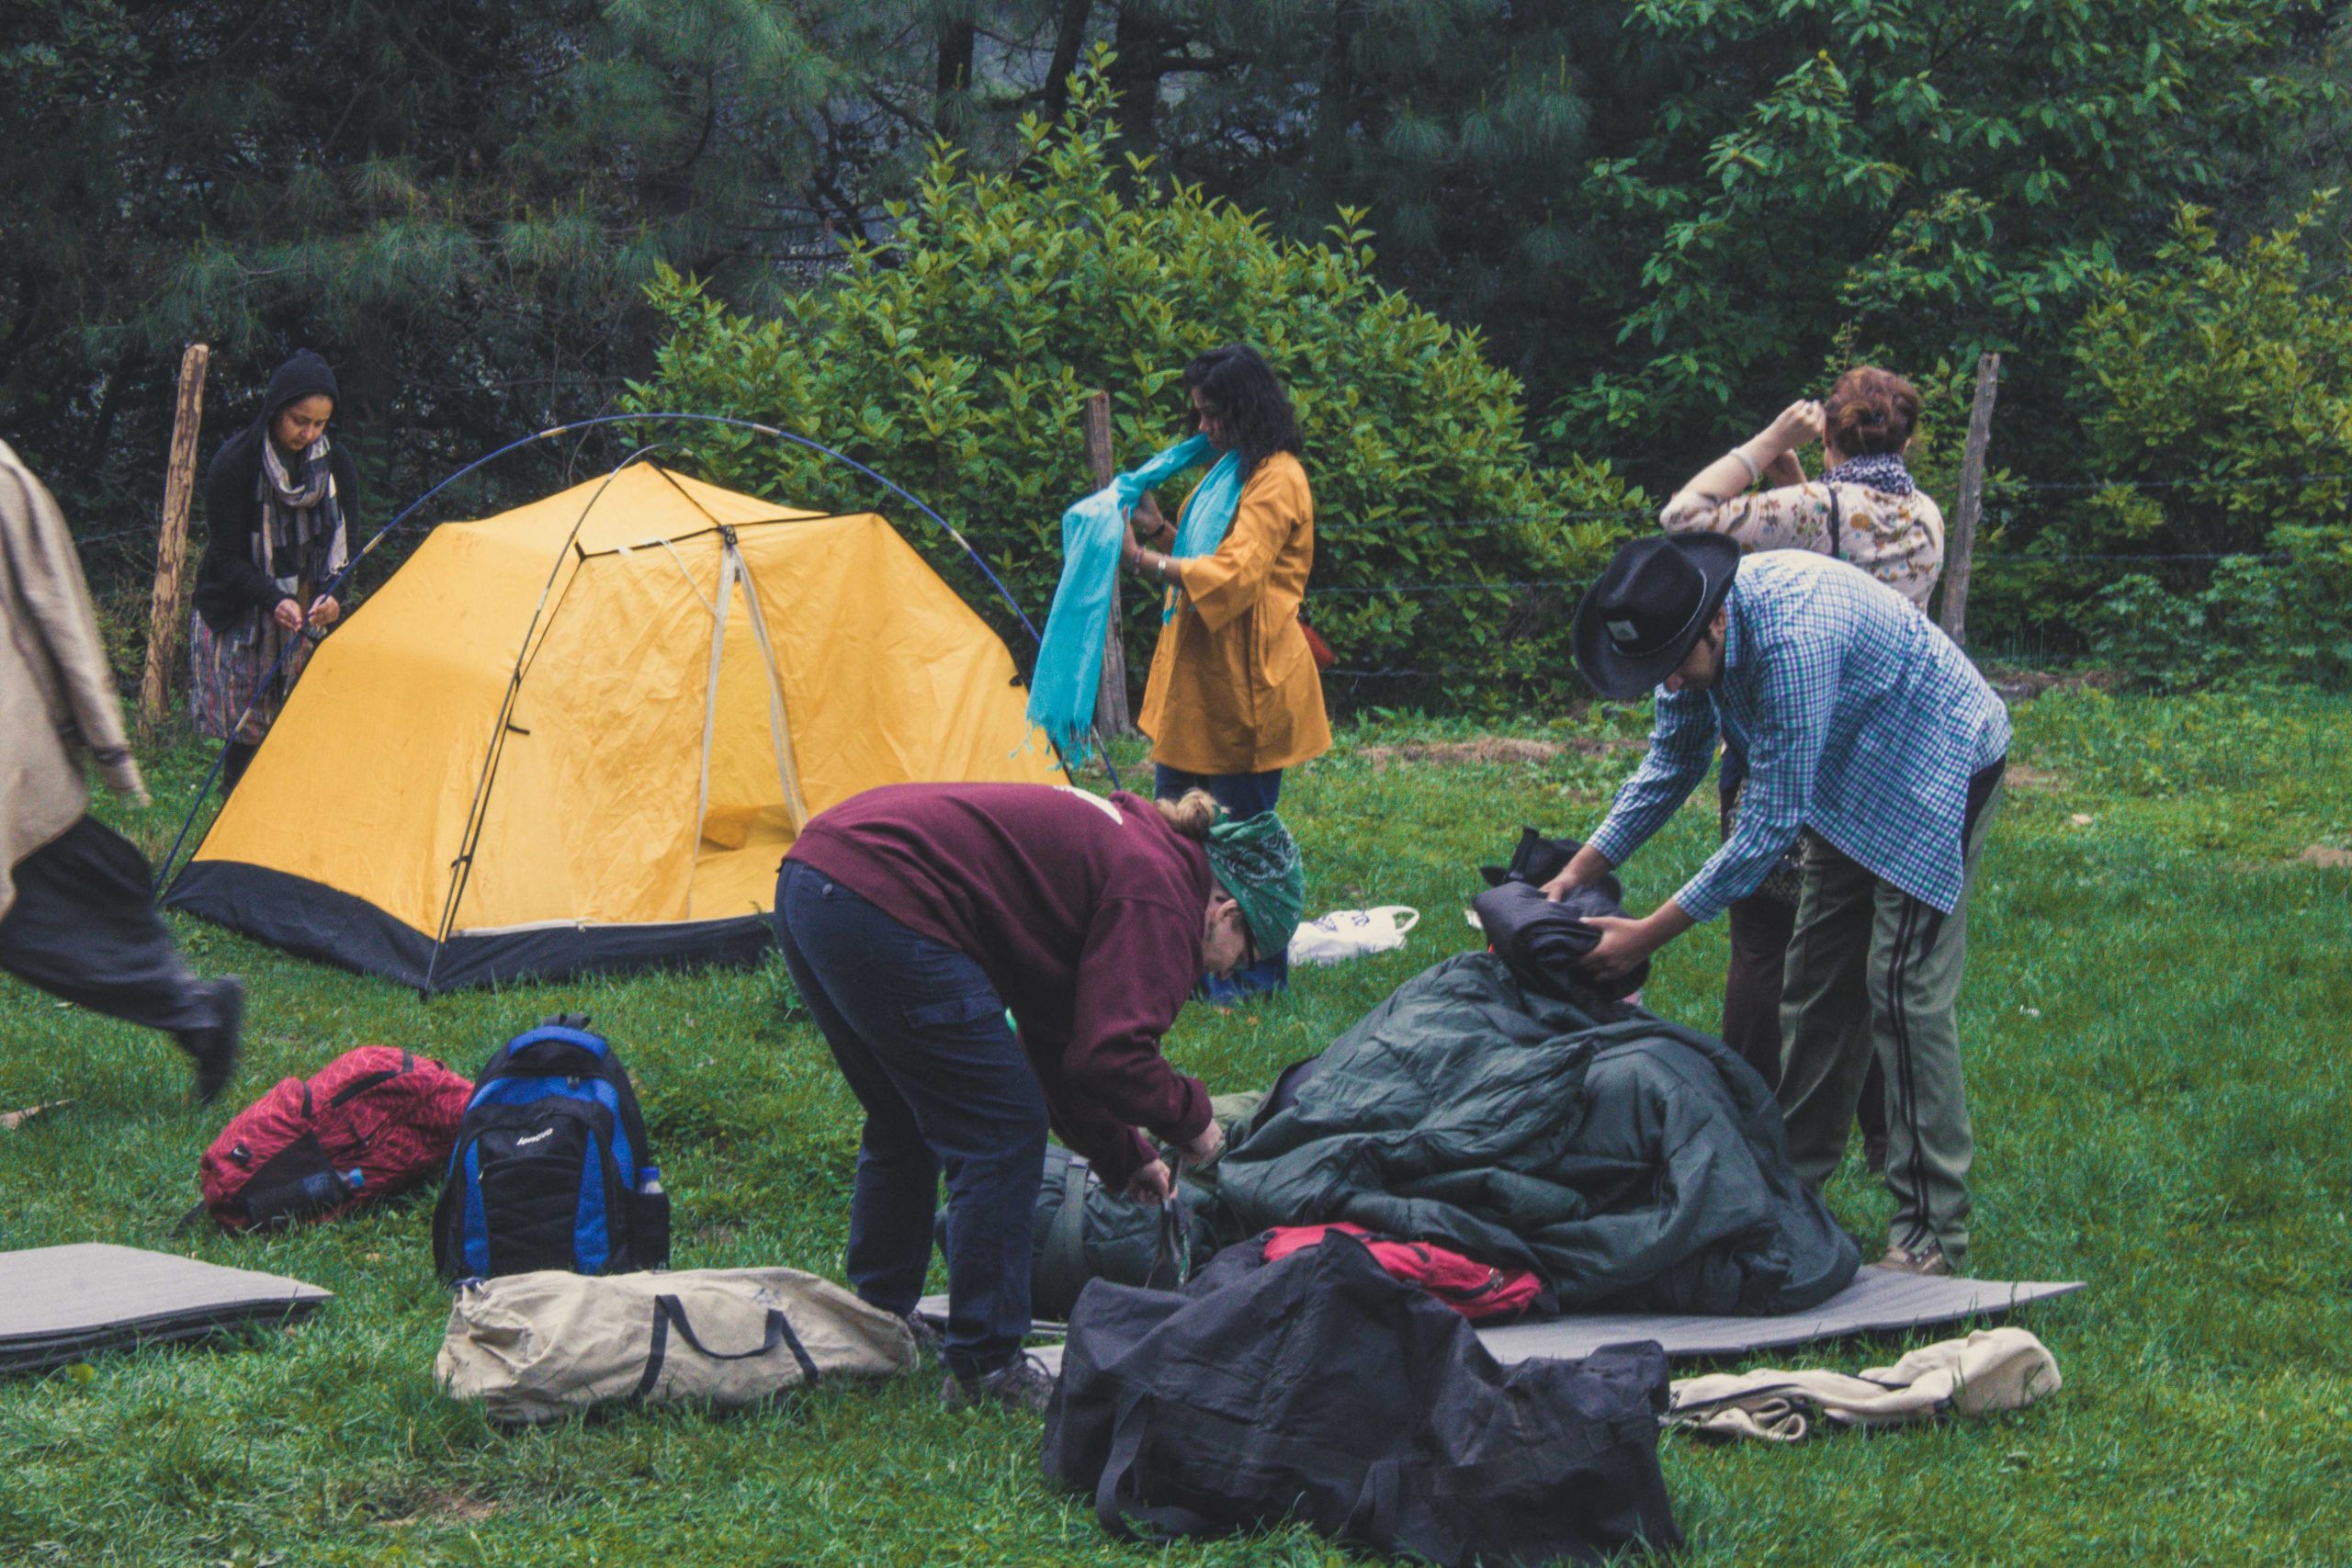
{"type": "Point", "coordinates": [1864, 509]}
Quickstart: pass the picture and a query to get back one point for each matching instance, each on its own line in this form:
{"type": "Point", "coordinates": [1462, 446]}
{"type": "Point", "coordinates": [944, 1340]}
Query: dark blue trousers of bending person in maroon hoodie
{"type": "Point", "coordinates": [921, 1036]}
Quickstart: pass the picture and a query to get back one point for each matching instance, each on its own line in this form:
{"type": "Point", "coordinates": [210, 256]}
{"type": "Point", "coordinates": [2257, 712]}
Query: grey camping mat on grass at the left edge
{"type": "Point", "coordinates": [62, 1304]}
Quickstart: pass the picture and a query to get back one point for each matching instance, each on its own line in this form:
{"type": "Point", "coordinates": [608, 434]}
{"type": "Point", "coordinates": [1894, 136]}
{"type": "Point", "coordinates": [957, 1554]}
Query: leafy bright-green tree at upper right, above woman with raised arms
{"type": "Point", "coordinates": [1937, 177]}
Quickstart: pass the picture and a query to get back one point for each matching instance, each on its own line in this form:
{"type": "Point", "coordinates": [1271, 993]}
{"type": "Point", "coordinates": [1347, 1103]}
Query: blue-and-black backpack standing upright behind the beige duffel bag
{"type": "Point", "coordinates": [552, 1167]}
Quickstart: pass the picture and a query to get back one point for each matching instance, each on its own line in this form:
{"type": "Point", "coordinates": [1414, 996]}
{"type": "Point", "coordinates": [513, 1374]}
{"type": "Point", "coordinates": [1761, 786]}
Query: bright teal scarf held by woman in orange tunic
{"type": "Point", "coordinates": [1071, 652]}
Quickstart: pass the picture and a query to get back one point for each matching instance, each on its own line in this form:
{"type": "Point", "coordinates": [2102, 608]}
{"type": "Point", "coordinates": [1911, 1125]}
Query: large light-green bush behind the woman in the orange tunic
{"type": "Point", "coordinates": [956, 354]}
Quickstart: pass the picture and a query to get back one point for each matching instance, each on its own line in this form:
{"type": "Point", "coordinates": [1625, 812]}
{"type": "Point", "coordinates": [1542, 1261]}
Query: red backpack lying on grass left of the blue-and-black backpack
{"type": "Point", "coordinates": [368, 1125]}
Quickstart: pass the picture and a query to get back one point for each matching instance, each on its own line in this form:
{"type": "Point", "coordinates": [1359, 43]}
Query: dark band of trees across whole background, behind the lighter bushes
{"type": "Point", "coordinates": [1666, 217]}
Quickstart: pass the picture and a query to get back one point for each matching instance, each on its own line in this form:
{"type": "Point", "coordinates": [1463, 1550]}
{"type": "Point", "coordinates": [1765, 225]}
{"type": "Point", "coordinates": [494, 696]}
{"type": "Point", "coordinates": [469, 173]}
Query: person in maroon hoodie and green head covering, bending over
{"type": "Point", "coordinates": [914, 918]}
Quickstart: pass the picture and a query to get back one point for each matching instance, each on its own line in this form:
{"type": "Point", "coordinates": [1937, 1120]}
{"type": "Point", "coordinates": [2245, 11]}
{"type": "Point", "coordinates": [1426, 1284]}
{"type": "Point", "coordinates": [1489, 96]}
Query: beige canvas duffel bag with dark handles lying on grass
{"type": "Point", "coordinates": [537, 1346]}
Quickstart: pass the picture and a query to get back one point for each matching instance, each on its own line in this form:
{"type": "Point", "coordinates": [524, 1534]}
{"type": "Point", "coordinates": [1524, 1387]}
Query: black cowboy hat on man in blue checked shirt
{"type": "Point", "coordinates": [1650, 608]}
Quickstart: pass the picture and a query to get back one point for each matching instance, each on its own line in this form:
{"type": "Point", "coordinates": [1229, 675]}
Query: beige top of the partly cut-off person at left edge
{"type": "Point", "coordinates": [58, 699]}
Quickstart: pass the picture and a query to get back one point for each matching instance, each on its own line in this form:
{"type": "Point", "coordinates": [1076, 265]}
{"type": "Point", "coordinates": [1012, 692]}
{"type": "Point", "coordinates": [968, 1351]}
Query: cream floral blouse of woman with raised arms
{"type": "Point", "coordinates": [1897, 540]}
